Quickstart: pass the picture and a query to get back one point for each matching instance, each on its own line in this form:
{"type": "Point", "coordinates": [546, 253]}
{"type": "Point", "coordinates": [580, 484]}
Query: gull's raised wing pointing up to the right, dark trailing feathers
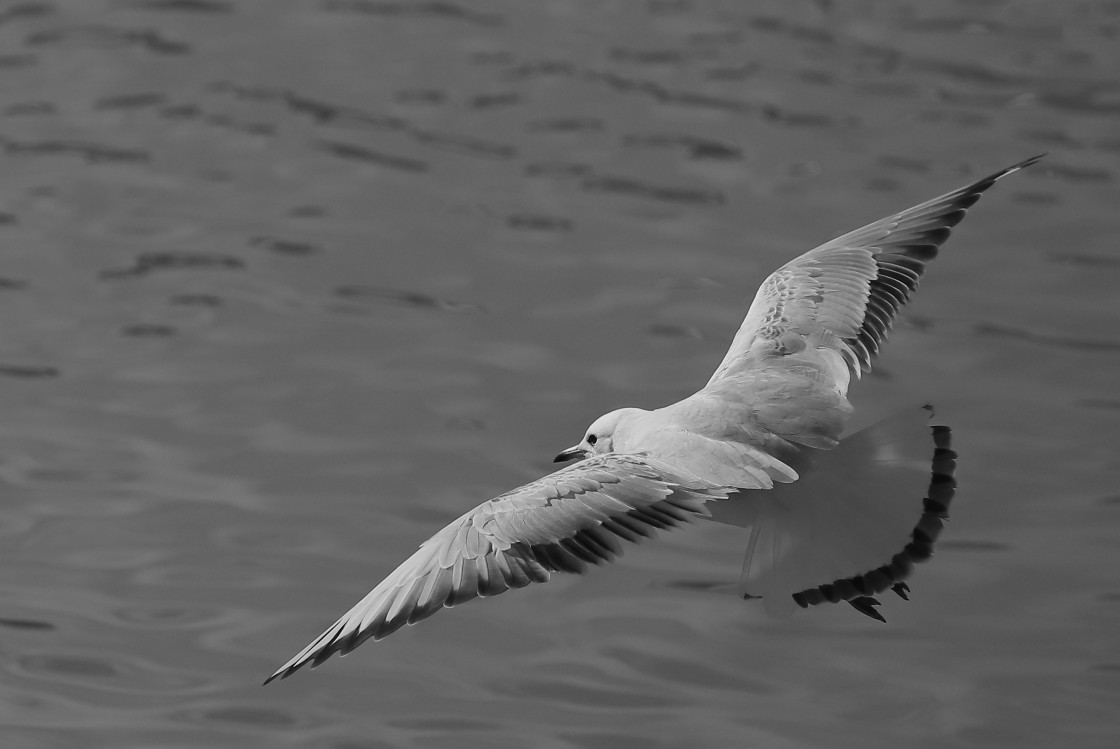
{"type": "Point", "coordinates": [848, 292]}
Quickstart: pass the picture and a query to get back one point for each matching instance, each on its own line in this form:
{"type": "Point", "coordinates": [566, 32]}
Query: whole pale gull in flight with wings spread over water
{"type": "Point", "coordinates": [833, 517]}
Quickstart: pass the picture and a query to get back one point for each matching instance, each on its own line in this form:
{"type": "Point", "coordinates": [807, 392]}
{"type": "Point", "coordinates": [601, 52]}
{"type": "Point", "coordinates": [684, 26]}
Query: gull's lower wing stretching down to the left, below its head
{"type": "Point", "coordinates": [559, 523]}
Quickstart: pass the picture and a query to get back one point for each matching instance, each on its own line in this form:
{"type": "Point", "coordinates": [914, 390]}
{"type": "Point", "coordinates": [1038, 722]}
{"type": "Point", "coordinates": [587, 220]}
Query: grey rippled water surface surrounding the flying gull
{"type": "Point", "coordinates": [288, 286]}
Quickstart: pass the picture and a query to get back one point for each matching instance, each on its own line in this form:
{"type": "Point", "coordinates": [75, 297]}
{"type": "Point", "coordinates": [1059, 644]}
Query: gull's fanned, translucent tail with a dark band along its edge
{"type": "Point", "coordinates": [855, 523]}
